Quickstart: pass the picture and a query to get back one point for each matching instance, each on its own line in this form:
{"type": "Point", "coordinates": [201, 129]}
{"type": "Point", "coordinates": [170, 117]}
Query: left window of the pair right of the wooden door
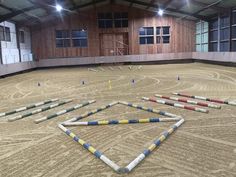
{"type": "Point", "coordinates": [146, 35]}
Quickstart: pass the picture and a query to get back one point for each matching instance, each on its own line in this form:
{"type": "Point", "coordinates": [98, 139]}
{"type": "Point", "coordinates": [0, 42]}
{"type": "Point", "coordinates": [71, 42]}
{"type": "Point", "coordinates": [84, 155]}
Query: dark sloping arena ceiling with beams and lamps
{"type": "Point", "coordinates": [31, 12]}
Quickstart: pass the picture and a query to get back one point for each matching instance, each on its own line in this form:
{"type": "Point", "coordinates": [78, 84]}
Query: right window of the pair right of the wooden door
{"type": "Point", "coordinates": [163, 35]}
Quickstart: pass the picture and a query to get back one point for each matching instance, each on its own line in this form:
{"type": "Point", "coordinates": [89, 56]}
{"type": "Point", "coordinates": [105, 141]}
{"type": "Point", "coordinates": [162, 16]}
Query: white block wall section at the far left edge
{"type": "Point", "coordinates": [10, 52]}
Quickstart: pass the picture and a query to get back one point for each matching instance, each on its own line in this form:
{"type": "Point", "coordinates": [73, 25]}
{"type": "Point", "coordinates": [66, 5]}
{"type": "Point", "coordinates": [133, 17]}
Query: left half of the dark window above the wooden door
{"type": "Point", "coordinates": [105, 20]}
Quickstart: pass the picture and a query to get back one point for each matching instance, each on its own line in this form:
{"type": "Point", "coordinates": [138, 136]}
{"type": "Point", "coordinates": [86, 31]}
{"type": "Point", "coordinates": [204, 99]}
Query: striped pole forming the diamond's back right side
{"type": "Point", "coordinates": [148, 109]}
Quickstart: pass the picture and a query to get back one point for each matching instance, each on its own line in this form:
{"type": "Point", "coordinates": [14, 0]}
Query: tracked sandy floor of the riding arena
{"type": "Point", "coordinates": [205, 145]}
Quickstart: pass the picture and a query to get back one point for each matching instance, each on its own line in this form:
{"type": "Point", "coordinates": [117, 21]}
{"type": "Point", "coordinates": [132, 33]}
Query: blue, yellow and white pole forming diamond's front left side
{"type": "Point", "coordinates": [90, 148]}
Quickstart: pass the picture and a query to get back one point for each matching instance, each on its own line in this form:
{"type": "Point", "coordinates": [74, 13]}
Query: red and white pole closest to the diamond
{"type": "Point", "coordinates": [176, 105]}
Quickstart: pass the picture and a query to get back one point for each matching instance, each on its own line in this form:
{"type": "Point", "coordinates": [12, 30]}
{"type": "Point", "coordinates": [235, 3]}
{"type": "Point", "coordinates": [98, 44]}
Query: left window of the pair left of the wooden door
{"type": "Point", "coordinates": [62, 38]}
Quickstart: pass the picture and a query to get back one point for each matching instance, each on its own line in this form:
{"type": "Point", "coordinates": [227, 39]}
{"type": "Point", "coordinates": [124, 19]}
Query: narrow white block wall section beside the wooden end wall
{"type": "Point", "coordinates": [25, 48]}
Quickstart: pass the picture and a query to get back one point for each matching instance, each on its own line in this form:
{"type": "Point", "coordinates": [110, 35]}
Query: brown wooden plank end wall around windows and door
{"type": "Point", "coordinates": [182, 33]}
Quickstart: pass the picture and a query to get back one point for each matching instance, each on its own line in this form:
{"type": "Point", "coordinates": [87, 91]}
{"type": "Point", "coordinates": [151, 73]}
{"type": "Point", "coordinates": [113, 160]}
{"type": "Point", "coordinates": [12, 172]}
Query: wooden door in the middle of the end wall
{"type": "Point", "coordinates": [114, 44]}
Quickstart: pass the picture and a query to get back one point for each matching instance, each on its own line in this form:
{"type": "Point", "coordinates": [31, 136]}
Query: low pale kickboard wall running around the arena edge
{"type": "Point", "coordinates": [216, 57]}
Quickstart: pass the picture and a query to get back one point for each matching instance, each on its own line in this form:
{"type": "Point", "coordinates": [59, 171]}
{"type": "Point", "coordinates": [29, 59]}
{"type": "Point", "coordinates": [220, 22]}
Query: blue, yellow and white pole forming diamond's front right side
{"type": "Point", "coordinates": [153, 146]}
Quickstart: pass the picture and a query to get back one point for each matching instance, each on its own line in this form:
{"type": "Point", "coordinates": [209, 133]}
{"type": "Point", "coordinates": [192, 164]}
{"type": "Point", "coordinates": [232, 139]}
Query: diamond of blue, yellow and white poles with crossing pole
{"type": "Point", "coordinates": [164, 135]}
